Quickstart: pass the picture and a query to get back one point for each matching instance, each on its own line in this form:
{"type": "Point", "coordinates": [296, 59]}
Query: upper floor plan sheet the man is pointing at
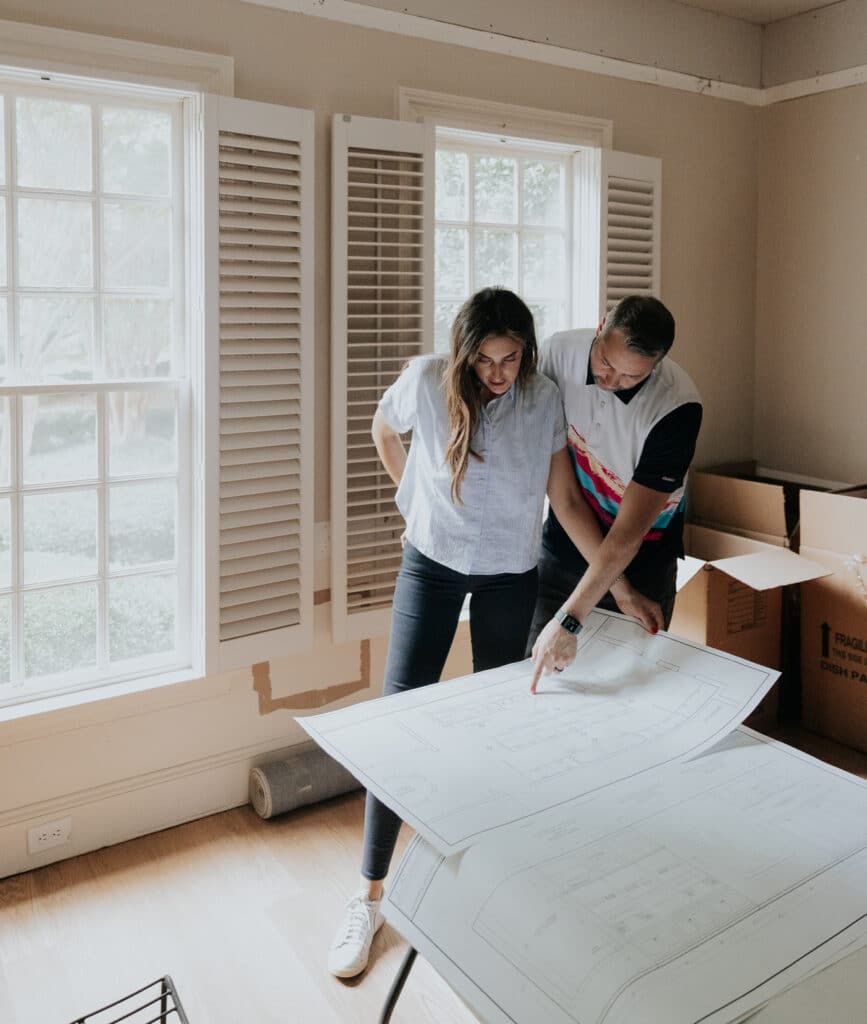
{"type": "Point", "coordinates": [462, 759]}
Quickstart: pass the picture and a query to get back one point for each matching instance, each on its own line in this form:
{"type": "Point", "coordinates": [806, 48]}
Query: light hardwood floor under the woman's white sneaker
{"type": "Point", "coordinates": [238, 911]}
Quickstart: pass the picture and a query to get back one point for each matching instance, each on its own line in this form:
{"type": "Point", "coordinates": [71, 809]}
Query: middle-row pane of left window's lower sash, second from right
{"type": "Point", "coordinates": [60, 536]}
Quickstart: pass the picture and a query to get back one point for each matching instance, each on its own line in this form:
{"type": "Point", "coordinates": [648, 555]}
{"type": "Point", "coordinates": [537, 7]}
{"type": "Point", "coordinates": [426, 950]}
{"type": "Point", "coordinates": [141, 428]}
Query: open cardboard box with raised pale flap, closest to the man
{"type": "Point", "coordinates": [730, 598]}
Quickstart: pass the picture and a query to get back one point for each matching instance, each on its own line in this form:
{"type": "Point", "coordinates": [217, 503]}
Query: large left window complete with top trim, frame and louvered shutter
{"type": "Point", "coordinates": [156, 369]}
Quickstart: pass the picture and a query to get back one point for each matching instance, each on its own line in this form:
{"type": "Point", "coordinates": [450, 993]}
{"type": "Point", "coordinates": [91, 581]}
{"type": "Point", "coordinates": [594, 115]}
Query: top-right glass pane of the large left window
{"type": "Point", "coordinates": [137, 152]}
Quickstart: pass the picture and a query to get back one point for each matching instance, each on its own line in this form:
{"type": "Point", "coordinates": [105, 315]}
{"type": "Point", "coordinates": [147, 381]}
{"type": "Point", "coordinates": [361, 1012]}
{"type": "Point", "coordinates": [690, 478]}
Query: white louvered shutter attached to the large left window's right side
{"type": "Point", "coordinates": [259, 266]}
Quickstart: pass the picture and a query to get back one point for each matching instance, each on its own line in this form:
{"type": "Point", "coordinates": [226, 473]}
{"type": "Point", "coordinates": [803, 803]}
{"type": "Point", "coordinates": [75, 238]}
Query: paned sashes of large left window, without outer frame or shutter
{"type": "Point", "coordinates": [95, 388]}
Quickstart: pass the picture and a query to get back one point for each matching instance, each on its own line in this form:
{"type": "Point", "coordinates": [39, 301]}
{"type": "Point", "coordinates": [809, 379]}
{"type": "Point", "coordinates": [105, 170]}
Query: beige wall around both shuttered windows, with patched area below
{"type": "Point", "coordinates": [139, 763]}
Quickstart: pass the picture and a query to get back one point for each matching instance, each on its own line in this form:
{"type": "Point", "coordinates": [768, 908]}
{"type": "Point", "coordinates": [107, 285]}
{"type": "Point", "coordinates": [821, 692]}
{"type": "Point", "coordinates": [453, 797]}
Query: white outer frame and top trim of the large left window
{"type": "Point", "coordinates": [34, 55]}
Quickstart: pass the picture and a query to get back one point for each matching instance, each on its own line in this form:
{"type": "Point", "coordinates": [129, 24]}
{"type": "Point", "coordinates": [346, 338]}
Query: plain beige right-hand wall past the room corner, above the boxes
{"type": "Point", "coordinates": [811, 352]}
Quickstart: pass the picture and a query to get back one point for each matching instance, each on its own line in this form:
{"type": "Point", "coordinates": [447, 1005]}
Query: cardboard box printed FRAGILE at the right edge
{"type": "Point", "coordinates": [835, 618]}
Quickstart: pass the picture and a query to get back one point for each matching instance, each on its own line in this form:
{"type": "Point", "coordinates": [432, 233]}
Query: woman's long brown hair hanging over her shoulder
{"type": "Point", "coordinates": [493, 313]}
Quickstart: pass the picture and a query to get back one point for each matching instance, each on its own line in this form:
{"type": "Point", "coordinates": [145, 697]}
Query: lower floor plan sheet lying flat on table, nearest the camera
{"type": "Point", "coordinates": [689, 894]}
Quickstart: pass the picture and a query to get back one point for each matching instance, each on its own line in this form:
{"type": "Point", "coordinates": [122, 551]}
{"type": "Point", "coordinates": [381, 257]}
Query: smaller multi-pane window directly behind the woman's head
{"type": "Point", "coordinates": [504, 217]}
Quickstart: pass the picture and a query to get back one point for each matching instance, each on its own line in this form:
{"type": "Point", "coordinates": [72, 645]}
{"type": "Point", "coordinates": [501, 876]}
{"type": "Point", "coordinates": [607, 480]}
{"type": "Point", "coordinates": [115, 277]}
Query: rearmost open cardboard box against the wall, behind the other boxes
{"type": "Point", "coordinates": [752, 501]}
